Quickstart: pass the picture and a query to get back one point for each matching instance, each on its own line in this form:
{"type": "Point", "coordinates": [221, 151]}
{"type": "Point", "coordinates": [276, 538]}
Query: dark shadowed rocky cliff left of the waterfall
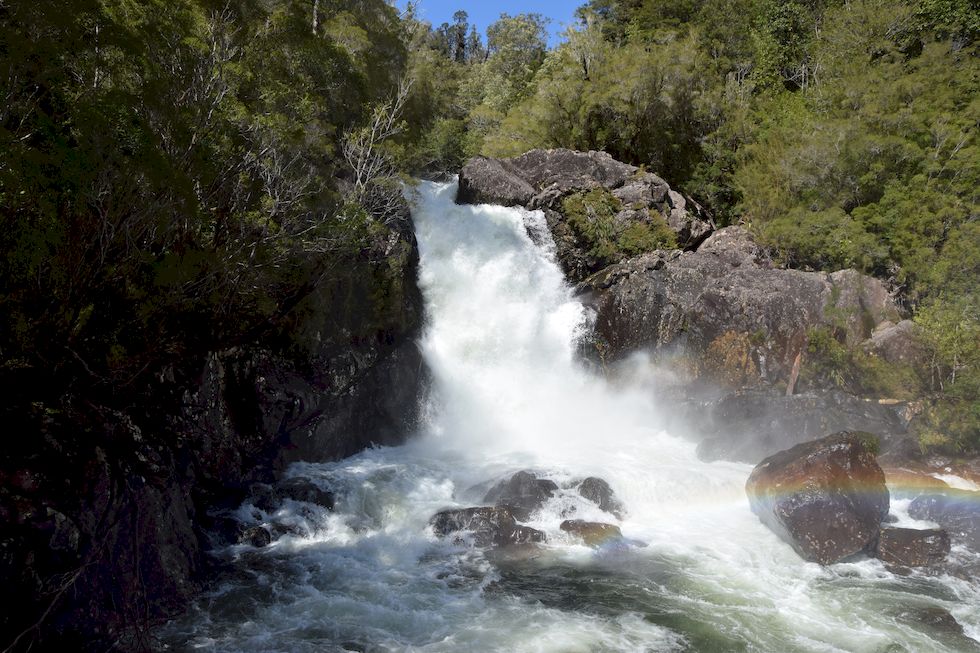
{"type": "Point", "coordinates": [105, 506]}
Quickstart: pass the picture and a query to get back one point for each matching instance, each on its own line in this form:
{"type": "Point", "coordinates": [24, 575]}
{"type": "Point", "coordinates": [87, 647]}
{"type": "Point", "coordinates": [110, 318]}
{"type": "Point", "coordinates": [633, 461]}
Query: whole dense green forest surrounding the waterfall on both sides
{"type": "Point", "coordinates": [174, 176]}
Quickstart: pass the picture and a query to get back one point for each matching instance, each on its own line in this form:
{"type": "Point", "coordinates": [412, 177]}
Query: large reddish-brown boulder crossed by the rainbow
{"type": "Point", "coordinates": [826, 498]}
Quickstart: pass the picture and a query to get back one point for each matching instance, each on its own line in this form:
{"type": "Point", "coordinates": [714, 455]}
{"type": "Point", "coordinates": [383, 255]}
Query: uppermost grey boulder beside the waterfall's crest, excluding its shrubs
{"type": "Point", "coordinates": [540, 179]}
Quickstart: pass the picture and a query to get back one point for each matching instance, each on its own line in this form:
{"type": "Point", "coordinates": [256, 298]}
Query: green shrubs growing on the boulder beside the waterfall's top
{"type": "Point", "coordinates": [592, 216]}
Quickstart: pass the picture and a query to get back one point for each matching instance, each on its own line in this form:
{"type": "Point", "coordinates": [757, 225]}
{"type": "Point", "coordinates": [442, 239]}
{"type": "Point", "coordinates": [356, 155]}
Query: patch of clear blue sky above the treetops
{"type": "Point", "coordinates": [482, 13]}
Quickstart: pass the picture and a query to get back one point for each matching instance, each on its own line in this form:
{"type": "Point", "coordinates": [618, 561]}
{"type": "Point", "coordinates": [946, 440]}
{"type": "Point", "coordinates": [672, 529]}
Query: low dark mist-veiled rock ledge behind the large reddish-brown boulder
{"type": "Point", "coordinates": [748, 425]}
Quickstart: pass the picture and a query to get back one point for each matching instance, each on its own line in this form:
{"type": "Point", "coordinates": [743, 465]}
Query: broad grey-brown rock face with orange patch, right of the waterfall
{"type": "Point", "coordinates": [739, 321]}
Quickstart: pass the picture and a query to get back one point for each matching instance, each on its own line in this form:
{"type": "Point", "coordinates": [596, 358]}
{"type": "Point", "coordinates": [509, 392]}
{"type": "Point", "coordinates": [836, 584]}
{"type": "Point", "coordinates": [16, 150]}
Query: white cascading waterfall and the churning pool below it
{"type": "Point", "coordinates": [509, 395]}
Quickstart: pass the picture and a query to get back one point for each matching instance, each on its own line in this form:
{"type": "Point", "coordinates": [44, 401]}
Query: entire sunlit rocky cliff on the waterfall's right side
{"type": "Point", "coordinates": [737, 330]}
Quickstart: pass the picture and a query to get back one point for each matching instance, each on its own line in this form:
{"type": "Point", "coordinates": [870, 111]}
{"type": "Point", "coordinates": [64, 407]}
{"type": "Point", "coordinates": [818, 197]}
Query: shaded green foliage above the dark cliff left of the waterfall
{"type": "Point", "coordinates": [168, 174]}
